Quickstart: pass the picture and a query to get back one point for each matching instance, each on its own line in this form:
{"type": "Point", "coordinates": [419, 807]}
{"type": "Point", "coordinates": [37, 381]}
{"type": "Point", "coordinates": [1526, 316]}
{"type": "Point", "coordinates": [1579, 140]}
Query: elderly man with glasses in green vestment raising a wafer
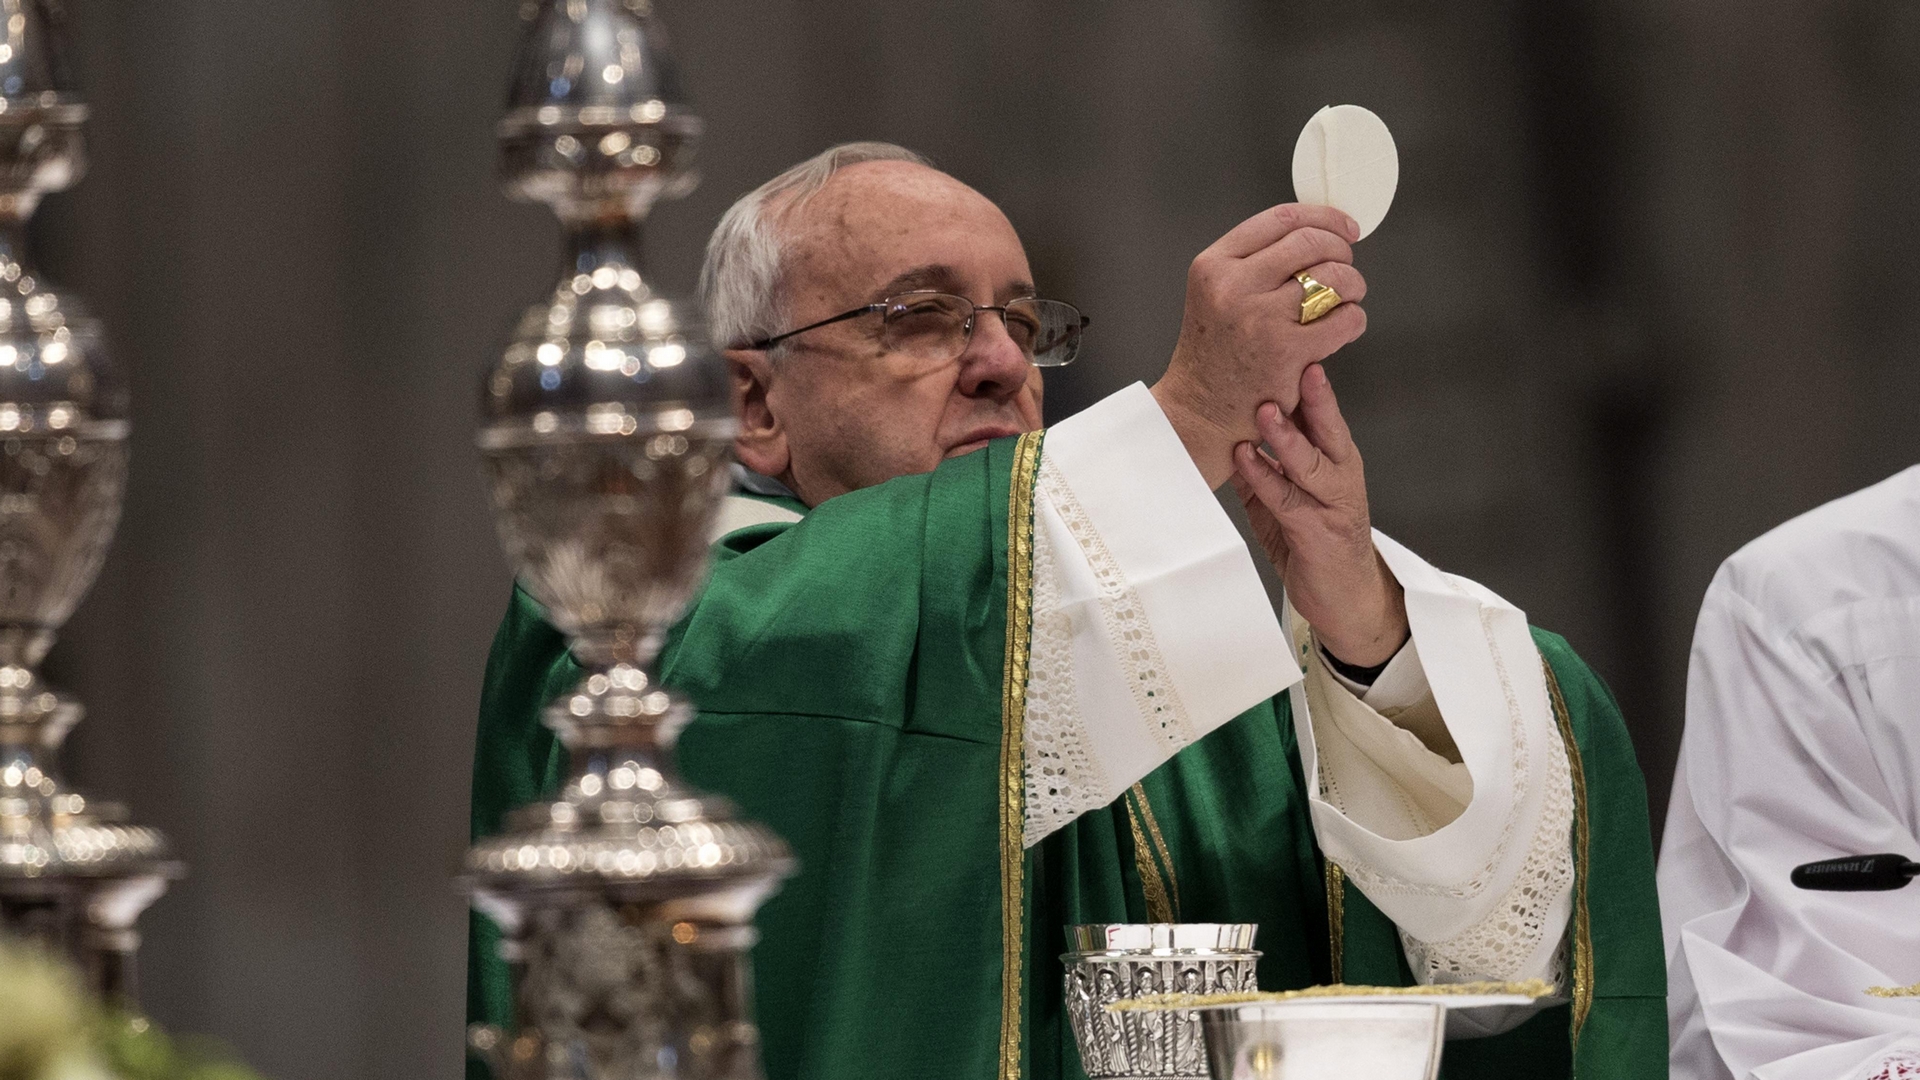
{"type": "Point", "coordinates": [992, 681]}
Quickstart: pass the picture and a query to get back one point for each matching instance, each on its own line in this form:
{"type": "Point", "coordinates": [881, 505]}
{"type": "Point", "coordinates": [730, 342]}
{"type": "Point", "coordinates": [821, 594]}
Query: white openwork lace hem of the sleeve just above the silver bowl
{"type": "Point", "coordinates": [1502, 945]}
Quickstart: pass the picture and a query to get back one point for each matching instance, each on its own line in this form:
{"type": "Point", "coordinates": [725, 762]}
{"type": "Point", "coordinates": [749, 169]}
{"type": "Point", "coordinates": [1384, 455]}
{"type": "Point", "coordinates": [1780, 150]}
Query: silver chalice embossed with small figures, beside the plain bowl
{"type": "Point", "coordinates": [1113, 962]}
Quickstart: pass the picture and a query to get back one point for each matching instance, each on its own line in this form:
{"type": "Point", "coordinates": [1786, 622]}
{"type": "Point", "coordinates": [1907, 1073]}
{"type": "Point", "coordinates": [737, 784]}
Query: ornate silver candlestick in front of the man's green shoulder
{"type": "Point", "coordinates": [627, 906]}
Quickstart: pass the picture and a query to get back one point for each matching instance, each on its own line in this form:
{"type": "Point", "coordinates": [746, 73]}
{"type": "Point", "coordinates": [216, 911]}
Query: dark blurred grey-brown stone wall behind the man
{"type": "Point", "coordinates": [1648, 289]}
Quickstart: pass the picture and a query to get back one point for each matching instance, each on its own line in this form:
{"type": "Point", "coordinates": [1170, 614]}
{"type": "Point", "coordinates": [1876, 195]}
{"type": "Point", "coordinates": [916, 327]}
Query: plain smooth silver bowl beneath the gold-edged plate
{"type": "Point", "coordinates": [1326, 1041]}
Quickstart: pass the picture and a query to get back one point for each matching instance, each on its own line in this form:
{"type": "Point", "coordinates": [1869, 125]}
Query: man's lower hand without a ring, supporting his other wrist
{"type": "Point", "coordinates": [1308, 508]}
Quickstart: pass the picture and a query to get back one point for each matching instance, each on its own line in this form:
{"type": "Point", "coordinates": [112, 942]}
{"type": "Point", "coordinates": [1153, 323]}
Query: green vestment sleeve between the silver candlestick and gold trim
{"type": "Point", "coordinates": [850, 685]}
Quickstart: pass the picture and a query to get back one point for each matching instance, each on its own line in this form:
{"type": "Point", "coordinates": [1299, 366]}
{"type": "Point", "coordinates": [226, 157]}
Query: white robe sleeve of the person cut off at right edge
{"type": "Point", "coordinates": [1767, 981]}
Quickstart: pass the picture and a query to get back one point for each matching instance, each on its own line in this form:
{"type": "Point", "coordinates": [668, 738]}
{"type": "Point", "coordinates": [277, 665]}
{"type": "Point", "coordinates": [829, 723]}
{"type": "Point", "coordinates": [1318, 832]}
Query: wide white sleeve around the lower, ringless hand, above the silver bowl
{"type": "Point", "coordinates": [1452, 816]}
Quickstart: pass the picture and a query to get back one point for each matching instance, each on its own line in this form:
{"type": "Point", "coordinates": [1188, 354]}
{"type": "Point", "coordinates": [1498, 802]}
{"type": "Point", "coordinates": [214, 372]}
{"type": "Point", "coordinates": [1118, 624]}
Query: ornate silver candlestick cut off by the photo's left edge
{"type": "Point", "coordinates": [74, 873]}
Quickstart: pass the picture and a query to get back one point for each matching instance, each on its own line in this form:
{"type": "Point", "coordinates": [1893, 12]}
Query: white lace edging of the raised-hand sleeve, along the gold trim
{"type": "Point", "coordinates": [1063, 777]}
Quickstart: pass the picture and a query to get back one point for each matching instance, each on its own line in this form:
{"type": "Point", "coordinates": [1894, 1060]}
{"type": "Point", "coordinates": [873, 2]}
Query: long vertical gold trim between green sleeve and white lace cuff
{"type": "Point", "coordinates": [1013, 750]}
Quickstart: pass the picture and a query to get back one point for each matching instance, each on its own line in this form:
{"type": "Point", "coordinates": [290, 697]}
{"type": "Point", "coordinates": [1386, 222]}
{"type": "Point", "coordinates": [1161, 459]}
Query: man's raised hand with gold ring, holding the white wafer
{"type": "Point", "coordinates": [1241, 337]}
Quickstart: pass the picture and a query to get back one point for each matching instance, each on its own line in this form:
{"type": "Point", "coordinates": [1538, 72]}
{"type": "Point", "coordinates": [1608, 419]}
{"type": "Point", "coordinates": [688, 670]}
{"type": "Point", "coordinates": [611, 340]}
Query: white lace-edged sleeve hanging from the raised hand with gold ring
{"type": "Point", "coordinates": [1149, 622]}
